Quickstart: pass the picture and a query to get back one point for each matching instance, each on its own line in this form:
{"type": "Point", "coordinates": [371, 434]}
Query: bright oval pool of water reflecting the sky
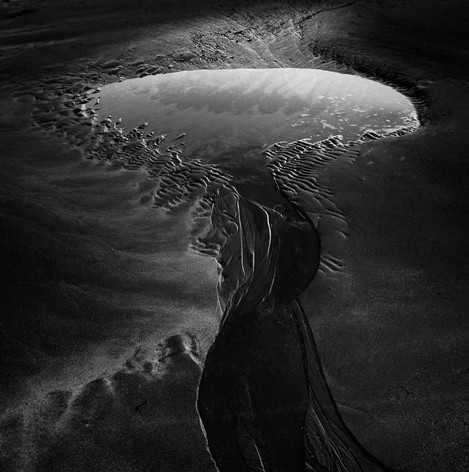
{"type": "Point", "coordinates": [220, 110]}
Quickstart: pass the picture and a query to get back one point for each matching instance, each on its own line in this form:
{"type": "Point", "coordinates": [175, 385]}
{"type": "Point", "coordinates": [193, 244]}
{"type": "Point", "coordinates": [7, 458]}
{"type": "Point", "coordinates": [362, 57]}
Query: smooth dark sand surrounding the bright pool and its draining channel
{"type": "Point", "coordinates": [103, 335]}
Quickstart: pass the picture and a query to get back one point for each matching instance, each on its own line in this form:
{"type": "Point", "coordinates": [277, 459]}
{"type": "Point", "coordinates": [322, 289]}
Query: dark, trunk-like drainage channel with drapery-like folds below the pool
{"type": "Point", "coordinates": [263, 398]}
